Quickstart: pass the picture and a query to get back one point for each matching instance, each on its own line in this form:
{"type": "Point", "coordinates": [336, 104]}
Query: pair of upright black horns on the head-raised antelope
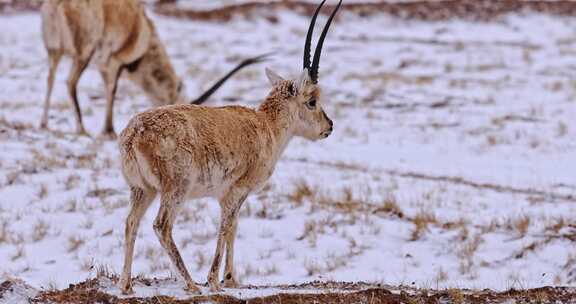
{"type": "Point", "coordinates": [313, 67]}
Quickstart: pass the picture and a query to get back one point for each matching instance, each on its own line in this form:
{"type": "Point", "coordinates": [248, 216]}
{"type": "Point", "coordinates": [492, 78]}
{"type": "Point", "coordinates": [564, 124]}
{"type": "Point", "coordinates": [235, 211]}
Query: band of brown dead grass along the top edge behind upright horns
{"type": "Point", "coordinates": [478, 10]}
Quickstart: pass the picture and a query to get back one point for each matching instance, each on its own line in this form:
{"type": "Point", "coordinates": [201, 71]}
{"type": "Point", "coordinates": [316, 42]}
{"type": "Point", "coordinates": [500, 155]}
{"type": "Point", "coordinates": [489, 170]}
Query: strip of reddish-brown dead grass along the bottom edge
{"type": "Point", "coordinates": [320, 292]}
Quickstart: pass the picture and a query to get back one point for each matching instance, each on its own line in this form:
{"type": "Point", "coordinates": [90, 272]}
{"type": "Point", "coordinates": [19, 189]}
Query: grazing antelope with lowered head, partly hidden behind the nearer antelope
{"type": "Point", "coordinates": [117, 35]}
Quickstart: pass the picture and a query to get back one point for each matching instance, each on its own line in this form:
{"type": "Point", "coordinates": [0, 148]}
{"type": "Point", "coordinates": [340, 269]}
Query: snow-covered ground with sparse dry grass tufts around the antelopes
{"type": "Point", "coordinates": [451, 165]}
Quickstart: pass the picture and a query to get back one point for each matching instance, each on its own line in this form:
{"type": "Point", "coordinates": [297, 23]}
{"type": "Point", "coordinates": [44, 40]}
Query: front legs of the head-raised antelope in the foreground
{"type": "Point", "coordinates": [230, 207]}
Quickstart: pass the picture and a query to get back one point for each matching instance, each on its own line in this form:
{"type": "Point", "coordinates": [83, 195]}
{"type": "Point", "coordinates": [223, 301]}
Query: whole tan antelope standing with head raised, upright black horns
{"type": "Point", "coordinates": [185, 151]}
